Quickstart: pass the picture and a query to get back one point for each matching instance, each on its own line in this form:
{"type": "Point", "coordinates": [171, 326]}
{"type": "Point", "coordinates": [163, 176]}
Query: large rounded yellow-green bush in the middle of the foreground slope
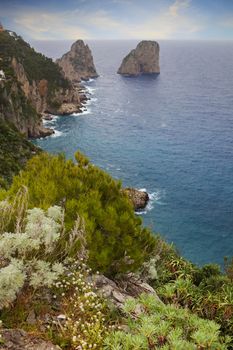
{"type": "Point", "coordinates": [116, 240]}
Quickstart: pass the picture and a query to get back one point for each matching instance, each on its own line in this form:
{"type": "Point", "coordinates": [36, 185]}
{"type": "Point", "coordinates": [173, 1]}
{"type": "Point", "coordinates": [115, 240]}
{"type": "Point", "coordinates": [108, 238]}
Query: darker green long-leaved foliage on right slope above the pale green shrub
{"type": "Point", "coordinates": [206, 291]}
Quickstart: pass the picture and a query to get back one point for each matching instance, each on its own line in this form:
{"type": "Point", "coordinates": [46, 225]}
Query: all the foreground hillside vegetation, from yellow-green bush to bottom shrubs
{"type": "Point", "coordinates": [60, 222]}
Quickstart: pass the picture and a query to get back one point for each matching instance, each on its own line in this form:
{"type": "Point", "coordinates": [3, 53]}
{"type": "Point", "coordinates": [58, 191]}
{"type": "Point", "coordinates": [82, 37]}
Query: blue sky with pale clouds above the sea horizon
{"type": "Point", "coordinates": [119, 19]}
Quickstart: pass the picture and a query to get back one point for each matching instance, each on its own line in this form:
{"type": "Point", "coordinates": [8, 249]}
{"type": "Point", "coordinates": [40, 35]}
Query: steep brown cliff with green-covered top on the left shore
{"type": "Point", "coordinates": [30, 85]}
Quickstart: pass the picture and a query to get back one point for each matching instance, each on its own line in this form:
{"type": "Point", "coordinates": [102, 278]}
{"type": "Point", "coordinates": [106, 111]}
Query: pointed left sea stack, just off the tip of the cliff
{"type": "Point", "coordinates": [77, 64]}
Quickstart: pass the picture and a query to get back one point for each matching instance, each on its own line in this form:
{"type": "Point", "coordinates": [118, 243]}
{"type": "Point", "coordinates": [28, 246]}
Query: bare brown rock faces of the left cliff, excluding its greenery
{"type": "Point", "coordinates": [62, 101]}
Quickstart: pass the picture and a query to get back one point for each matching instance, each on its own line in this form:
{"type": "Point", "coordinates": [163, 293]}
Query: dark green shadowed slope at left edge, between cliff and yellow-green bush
{"type": "Point", "coordinates": [15, 150]}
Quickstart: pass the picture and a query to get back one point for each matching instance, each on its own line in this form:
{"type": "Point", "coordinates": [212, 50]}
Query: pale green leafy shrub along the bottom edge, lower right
{"type": "Point", "coordinates": [162, 326]}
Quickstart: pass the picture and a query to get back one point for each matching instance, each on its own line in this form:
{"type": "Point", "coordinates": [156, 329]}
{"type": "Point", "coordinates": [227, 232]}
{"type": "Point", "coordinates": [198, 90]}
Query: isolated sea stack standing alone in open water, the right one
{"type": "Point", "coordinates": [142, 60]}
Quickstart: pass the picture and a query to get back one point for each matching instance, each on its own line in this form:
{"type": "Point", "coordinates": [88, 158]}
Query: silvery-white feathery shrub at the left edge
{"type": "Point", "coordinates": [25, 255]}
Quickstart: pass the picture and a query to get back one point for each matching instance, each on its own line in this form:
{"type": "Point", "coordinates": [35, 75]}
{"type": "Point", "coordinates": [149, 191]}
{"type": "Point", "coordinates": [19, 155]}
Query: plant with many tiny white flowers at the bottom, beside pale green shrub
{"type": "Point", "coordinates": [83, 320]}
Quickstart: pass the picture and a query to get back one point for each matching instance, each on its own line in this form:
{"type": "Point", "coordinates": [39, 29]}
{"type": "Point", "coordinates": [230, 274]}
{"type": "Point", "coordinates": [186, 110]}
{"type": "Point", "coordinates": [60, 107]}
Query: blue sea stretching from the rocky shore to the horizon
{"type": "Point", "coordinates": [170, 134]}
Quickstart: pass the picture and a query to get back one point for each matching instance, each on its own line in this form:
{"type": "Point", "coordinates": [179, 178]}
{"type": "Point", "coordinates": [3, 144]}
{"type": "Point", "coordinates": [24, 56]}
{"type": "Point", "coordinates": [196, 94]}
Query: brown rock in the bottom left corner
{"type": "Point", "coordinates": [17, 339]}
